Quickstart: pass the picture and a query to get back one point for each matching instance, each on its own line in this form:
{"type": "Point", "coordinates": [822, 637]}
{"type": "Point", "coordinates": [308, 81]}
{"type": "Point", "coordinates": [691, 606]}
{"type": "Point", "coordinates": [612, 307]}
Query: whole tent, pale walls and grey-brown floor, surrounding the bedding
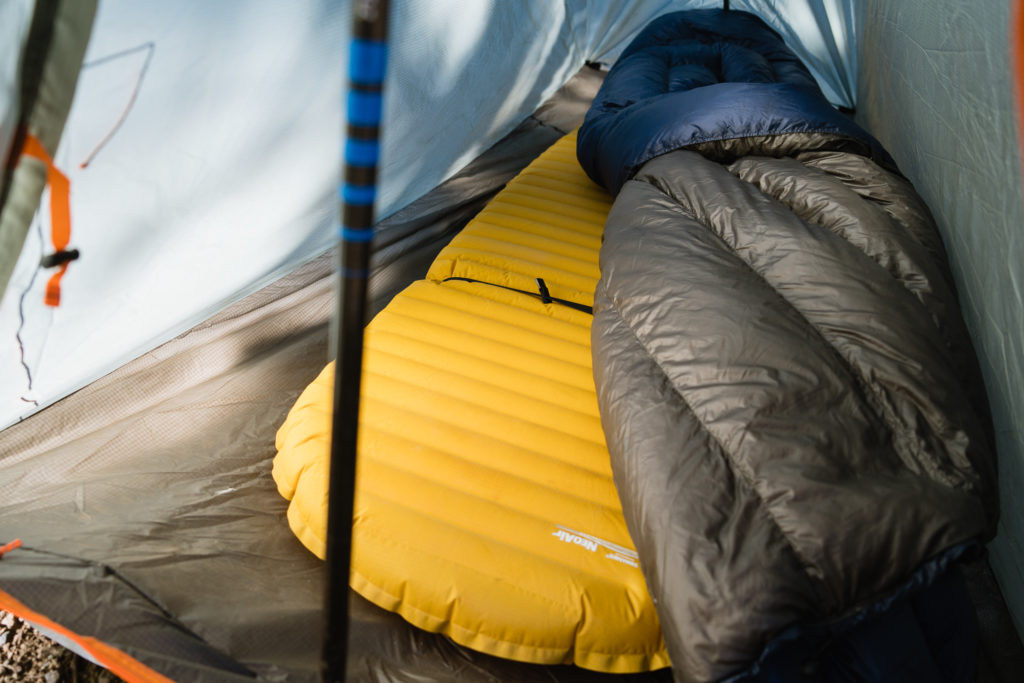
{"type": "Point", "coordinates": [202, 144]}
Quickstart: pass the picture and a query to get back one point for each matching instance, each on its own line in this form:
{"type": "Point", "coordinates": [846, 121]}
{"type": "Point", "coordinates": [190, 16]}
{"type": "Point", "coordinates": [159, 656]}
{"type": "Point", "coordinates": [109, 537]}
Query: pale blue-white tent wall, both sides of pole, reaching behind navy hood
{"type": "Point", "coordinates": [223, 176]}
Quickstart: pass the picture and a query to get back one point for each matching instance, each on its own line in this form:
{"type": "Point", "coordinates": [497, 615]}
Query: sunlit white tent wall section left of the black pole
{"type": "Point", "coordinates": [207, 186]}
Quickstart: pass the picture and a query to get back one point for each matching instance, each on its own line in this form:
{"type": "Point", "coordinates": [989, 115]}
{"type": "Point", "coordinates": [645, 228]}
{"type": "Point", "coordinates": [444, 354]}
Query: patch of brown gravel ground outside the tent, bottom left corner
{"type": "Point", "coordinates": [27, 657]}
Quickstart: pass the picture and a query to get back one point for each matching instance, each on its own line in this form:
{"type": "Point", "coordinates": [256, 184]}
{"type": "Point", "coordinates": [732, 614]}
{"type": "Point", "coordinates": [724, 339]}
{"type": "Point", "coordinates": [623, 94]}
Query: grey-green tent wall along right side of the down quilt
{"type": "Point", "coordinates": [937, 91]}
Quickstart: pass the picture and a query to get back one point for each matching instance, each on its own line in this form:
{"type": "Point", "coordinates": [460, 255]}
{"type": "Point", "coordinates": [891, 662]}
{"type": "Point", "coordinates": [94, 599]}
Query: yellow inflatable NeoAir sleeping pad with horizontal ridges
{"type": "Point", "coordinates": [485, 505]}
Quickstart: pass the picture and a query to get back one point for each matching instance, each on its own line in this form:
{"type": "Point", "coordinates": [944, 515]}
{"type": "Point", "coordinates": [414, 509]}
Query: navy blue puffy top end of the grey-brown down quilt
{"type": "Point", "coordinates": [700, 76]}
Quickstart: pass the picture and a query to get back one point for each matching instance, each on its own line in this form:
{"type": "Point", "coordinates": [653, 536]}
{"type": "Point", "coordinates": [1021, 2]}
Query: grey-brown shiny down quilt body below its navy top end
{"type": "Point", "coordinates": [796, 420]}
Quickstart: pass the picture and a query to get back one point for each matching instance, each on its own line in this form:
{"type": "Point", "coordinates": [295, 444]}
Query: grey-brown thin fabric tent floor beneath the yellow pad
{"type": "Point", "coordinates": [148, 510]}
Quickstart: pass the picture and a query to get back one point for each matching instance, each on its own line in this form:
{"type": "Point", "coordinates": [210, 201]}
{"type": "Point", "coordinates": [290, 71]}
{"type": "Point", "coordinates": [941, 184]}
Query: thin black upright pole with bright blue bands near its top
{"type": "Point", "coordinates": [367, 62]}
